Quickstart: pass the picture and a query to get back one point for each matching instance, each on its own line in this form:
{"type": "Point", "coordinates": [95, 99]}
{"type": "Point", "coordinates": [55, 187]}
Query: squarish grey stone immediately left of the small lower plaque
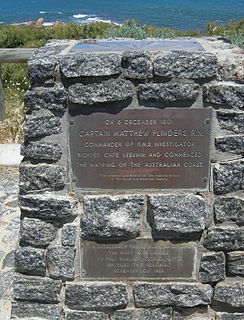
{"type": "Point", "coordinates": [60, 263]}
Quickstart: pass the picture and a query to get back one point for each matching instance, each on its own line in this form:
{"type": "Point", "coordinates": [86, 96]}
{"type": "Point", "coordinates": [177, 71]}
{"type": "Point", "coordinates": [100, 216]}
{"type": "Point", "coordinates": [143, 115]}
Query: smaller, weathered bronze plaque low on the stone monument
{"type": "Point", "coordinates": [139, 258]}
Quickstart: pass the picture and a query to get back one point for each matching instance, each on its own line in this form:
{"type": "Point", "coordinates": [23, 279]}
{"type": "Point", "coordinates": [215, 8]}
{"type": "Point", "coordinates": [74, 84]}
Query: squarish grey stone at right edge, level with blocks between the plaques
{"type": "Point", "coordinates": [229, 209]}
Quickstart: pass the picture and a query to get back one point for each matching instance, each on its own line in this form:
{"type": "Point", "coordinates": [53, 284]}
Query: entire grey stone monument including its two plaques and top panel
{"type": "Point", "coordinates": [131, 184]}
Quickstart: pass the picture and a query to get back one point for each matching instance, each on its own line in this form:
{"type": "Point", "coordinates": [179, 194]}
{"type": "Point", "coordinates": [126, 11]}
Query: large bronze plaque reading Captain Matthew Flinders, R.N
{"type": "Point", "coordinates": [141, 149]}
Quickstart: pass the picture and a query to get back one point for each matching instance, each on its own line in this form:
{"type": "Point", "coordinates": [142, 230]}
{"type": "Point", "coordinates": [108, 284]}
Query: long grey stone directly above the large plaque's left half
{"type": "Point", "coordinates": [111, 91]}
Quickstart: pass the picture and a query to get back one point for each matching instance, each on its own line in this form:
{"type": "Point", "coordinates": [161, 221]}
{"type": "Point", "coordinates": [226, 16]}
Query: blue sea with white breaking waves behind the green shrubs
{"type": "Point", "coordinates": [177, 14]}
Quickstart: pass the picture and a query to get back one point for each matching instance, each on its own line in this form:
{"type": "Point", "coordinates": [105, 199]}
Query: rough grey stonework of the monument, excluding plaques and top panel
{"type": "Point", "coordinates": [54, 218]}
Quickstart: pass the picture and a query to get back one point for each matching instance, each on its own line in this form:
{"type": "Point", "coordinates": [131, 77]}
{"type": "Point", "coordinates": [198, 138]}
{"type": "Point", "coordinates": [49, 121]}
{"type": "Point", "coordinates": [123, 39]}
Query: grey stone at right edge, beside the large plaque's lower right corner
{"type": "Point", "coordinates": [228, 177]}
